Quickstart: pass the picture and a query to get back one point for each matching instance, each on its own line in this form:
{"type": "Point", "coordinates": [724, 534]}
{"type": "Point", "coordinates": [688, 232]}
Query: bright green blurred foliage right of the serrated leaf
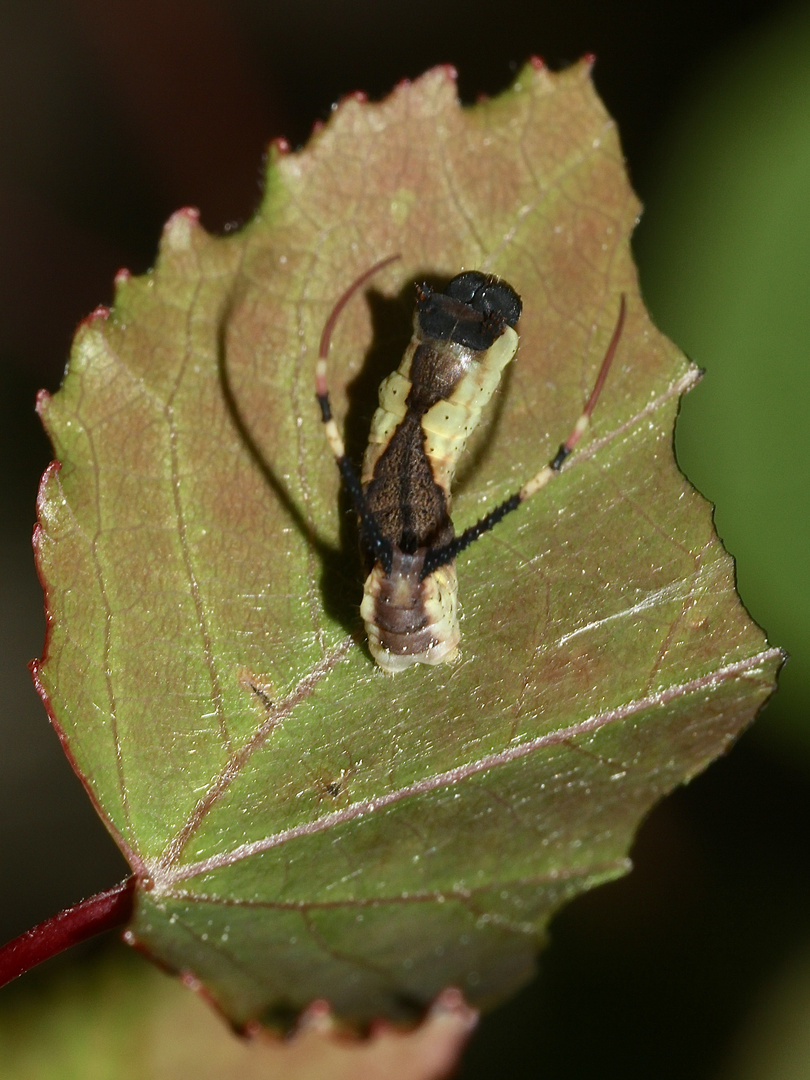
{"type": "Point", "coordinates": [725, 260]}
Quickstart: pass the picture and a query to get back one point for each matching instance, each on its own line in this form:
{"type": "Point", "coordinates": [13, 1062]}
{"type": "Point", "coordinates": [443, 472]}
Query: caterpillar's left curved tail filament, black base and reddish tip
{"type": "Point", "coordinates": [377, 545]}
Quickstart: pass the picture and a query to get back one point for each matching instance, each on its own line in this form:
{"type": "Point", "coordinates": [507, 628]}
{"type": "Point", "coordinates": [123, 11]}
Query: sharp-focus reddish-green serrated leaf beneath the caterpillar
{"type": "Point", "coordinates": [303, 826]}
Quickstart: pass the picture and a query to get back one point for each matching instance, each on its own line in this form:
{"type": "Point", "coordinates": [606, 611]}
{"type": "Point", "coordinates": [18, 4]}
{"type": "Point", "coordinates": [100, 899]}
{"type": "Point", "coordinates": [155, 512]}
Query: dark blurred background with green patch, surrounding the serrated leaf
{"type": "Point", "coordinates": [113, 115]}
